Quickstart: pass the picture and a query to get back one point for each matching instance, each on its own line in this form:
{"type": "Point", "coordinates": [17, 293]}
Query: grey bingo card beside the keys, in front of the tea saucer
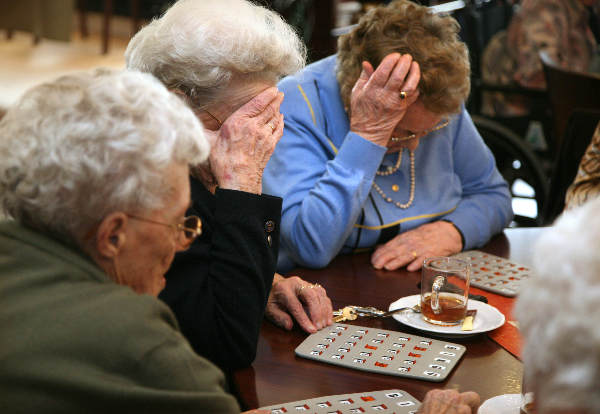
{"type": "Point", "coordinates": [382, 351]}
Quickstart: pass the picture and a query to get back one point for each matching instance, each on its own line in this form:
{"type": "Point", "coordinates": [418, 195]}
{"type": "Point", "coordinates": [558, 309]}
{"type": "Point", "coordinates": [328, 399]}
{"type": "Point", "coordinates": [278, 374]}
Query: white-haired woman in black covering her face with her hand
{"type": "Point", "coordinates": [224, 59]}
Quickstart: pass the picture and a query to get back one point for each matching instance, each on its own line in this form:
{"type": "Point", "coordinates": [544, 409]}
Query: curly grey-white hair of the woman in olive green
{"type": "Point", "coordinates": [75, 149]}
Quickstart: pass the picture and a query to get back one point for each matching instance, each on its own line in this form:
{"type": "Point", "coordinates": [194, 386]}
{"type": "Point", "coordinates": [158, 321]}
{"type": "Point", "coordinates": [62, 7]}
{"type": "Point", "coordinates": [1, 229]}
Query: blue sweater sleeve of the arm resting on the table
{"type": "Point", "coordinates": [485, 208]}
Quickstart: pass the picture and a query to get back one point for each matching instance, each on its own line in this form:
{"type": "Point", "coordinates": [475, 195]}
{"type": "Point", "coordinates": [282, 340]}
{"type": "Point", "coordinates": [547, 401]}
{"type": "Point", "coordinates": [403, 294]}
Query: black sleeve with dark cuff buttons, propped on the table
{"type": "Point", "coordinates": [218, 288]}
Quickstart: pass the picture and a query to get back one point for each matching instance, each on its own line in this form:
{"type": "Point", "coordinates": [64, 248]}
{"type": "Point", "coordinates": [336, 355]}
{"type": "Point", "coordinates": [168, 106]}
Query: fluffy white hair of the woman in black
{"type": "Point", "coordinates": [200, 46]}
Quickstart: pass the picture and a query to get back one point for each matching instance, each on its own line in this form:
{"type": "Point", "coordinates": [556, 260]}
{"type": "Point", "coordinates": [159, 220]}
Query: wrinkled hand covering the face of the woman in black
{"type": "Point", "coordinates": [245, 142]}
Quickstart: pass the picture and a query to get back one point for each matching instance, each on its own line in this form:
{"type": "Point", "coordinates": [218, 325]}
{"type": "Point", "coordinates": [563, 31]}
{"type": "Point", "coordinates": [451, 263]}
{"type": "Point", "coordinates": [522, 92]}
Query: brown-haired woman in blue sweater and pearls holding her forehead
{"type": "Point", "coordinates": [378, 151]}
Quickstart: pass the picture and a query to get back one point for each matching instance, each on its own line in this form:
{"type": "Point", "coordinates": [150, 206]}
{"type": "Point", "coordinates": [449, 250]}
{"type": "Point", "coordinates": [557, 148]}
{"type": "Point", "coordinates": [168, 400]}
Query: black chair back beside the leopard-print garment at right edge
{"type": "Point", "coordinates": [578, 134]}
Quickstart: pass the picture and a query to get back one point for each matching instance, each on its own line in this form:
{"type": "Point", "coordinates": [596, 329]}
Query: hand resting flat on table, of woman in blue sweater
{"type": "Point", "coordinates": [411, 248]}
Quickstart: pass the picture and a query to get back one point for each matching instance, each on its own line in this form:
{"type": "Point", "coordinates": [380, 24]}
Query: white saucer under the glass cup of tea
{"type": "Point", "coordinates": [488, 318]}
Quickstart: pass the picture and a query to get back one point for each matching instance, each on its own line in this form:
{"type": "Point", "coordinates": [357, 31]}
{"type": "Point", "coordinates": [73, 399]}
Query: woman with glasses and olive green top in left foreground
{"type": "Point", "coordinates": [94, 173]}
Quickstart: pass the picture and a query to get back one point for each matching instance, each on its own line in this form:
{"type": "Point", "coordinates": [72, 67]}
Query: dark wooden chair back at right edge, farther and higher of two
{"type": "Point", "coordinates": [568, 90]}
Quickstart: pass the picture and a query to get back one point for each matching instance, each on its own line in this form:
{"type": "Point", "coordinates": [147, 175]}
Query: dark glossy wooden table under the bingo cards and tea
{"type": "Point", "coordinates": [277, 375]}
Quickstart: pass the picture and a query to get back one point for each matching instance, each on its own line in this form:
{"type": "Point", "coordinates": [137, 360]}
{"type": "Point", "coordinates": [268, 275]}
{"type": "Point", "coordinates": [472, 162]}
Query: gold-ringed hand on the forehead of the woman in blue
{"type": "Point", "coordinates": [375, 103]}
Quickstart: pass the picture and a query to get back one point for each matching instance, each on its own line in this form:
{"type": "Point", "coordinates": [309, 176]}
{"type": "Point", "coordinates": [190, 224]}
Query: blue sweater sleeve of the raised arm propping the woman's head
{"type": "Point", "coordinates": [323, 187]}
